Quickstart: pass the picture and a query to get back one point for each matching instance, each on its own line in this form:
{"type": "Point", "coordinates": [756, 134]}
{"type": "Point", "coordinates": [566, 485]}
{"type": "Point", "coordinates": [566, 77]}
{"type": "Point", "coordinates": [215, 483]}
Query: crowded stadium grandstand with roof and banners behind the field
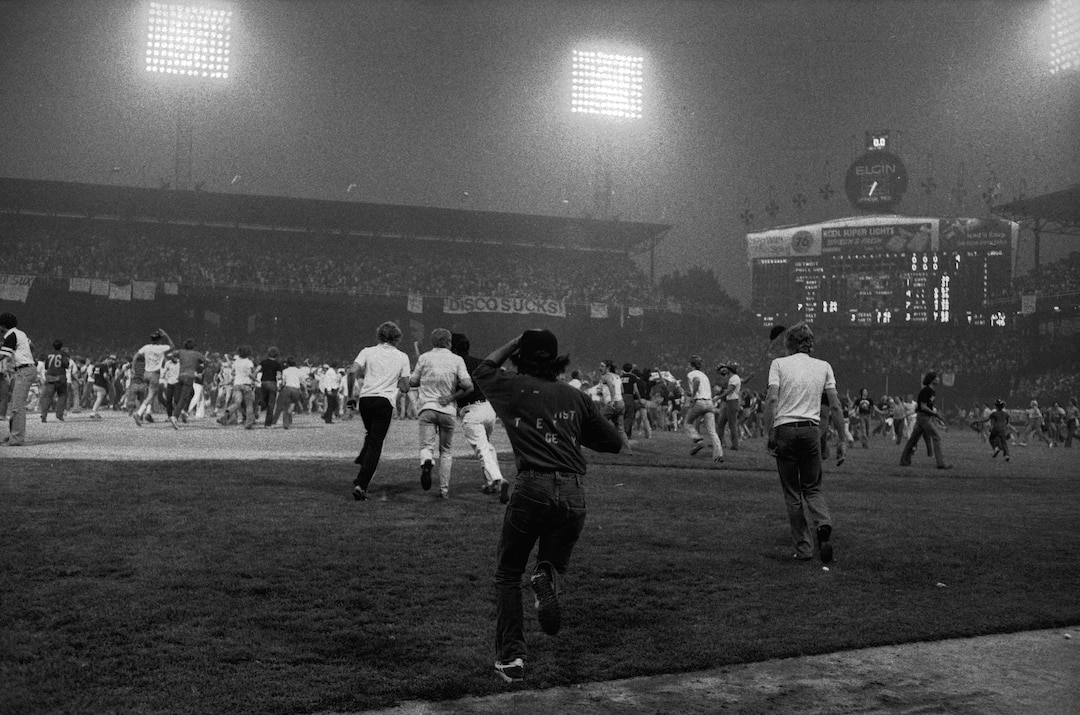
{"type": "Point", "coordinates": [101, 266]}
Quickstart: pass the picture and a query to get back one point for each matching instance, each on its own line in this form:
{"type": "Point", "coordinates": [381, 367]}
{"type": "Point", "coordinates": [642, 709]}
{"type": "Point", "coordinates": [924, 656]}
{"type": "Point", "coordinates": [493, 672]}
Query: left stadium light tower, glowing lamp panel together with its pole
{"type": "Point", "coordinates": [188, 45]}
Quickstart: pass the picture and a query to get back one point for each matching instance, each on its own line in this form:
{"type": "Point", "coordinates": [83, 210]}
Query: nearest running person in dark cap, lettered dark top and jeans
{"type": "Point", "coordinates": [548, 423]}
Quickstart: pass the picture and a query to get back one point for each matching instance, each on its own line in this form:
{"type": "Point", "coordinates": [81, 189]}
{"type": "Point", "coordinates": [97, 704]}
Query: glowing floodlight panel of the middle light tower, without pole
{"type": "Point", "coordinates": [609, 85]}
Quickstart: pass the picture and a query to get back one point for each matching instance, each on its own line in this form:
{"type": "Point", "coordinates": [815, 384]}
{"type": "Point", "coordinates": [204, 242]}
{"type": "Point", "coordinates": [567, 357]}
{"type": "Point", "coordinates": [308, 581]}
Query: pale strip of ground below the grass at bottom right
{"type": "Point", "coordinates": [1035, 673]}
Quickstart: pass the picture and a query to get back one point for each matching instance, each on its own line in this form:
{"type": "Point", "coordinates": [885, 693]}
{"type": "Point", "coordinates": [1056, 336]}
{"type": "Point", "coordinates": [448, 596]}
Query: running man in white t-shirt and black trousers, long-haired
{"type": "Point", "coordinates": [385, 371]}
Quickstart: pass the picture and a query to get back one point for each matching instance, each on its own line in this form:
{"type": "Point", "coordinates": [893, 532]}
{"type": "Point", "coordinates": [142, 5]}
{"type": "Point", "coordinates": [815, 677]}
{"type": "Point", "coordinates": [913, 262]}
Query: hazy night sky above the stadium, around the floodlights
{"type": "Point", "coordinates": [466, 105]}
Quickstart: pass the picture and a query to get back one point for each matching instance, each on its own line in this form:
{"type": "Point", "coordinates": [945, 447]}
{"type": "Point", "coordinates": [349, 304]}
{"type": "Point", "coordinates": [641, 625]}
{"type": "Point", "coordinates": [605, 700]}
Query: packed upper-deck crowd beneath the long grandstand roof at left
{"type": "Point", "coordinates": [281, 261]}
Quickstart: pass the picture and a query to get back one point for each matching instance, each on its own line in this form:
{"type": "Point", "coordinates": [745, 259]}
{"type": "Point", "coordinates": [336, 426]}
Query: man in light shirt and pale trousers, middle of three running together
{"type": "Point", "coordinates": [441, 377]}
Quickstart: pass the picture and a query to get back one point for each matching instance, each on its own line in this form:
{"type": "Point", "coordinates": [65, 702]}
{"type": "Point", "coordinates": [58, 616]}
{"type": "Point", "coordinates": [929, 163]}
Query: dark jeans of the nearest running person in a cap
{"type": "Point", "coordinates": [545, 506]}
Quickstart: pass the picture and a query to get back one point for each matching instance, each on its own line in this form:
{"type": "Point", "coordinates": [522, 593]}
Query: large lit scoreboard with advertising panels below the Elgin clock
{"type": "Point", "coordinates": [887, 269]}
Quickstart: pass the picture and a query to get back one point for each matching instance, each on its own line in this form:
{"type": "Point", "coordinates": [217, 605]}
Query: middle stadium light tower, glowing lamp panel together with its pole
{"type": "Point", "coordinates": [607, 87]}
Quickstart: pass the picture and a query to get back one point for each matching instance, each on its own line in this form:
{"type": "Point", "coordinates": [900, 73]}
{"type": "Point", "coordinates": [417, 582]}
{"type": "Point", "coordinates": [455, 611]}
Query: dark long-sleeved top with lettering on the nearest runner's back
{"type": "Point", "coordinates": [548, 423]}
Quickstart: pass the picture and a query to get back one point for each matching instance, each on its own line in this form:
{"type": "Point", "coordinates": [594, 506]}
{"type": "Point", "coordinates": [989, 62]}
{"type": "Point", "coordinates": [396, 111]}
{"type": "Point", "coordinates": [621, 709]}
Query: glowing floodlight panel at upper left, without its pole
{"type": "Point", "coordinates": [190, 41]}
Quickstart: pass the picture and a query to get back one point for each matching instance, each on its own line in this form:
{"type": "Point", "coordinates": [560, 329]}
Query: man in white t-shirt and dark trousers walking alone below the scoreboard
{"type": "Point", "coordinates": [792, 413]}
